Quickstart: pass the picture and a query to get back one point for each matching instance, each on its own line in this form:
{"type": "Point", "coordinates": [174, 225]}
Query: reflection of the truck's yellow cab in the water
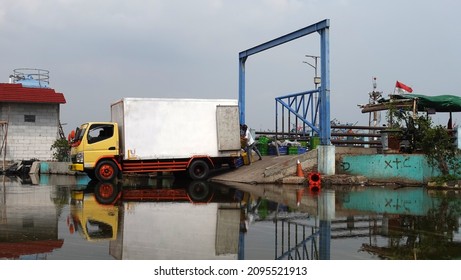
{"type": "Point", "coordinates": [94, 221]}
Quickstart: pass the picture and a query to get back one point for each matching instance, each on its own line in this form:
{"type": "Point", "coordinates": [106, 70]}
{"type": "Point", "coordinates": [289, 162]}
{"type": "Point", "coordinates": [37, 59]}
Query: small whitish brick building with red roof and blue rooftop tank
{"type": "Point", "coordinates": [29, 116]}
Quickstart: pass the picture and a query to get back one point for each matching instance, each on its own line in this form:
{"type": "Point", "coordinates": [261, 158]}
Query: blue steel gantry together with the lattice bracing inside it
{"type": "Point", "coordinates": [300, 110]}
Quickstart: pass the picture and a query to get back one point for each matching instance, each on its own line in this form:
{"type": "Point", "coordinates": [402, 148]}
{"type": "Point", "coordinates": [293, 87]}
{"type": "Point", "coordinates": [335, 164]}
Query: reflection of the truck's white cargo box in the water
{"type": "Point", "coordinates": [177, 230]}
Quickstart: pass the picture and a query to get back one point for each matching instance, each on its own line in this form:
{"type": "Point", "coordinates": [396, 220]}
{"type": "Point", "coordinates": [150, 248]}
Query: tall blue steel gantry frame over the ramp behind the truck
{"type": "Point", "coordinates": [322, 28]}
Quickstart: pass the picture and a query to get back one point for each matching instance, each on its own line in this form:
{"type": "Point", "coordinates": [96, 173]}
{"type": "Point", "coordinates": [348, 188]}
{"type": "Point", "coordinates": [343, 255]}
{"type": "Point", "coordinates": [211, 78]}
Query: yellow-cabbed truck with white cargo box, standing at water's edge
{"type": "Point", "coordinates": [151, 135]}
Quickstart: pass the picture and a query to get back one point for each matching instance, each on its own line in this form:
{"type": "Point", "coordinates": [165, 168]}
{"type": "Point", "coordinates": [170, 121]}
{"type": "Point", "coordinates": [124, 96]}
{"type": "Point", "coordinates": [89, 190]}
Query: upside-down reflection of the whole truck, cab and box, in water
{"type": "Point", "coordinates": [186, 220]}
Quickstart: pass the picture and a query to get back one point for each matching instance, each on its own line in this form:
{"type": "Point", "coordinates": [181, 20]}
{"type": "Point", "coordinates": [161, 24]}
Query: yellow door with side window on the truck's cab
{"type": "Point", "coordinates": [102, 141]}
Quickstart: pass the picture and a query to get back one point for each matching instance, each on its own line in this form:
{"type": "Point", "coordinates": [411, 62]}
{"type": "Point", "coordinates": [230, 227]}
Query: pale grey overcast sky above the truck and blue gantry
{"type": "Point", "coordinates": [99, 51]}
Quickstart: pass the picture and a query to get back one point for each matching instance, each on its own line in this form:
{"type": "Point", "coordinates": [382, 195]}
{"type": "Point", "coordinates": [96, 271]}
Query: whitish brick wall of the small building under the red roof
{"type": "Point", "coordinates": [30, 140]}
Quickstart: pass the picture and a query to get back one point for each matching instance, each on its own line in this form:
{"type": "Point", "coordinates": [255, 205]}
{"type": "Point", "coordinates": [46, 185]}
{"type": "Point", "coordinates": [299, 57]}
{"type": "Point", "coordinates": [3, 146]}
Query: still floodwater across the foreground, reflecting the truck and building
{"type": "Point", "coordinates": [71, 218]}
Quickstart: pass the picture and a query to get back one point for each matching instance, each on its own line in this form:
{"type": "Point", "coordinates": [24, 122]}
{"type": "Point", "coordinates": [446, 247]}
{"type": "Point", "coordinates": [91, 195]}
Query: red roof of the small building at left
{"type": "Point", "coordinates": [19, 94]}
